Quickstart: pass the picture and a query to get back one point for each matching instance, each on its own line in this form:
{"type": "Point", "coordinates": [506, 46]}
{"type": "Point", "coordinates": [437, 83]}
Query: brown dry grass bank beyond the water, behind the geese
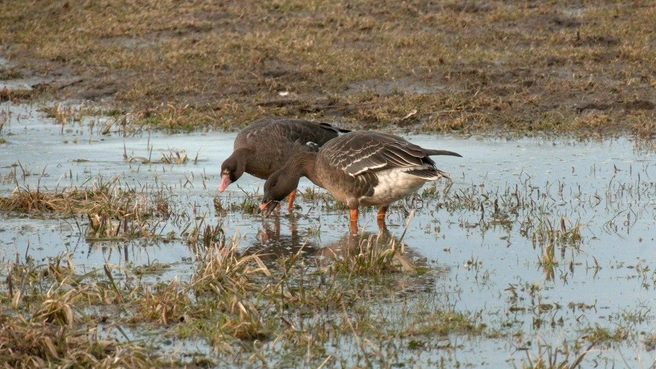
{"type": "Point", "coordinates": [445, 66]}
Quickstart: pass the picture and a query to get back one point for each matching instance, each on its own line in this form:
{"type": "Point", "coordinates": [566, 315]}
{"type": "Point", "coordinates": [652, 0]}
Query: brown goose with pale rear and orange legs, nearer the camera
{"type": "Point", "coordinates": [358, 168]}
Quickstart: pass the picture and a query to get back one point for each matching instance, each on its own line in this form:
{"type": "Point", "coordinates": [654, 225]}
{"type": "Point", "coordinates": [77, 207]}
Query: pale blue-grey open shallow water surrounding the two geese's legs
{"type": "Point", "coordinates": [491, 258]}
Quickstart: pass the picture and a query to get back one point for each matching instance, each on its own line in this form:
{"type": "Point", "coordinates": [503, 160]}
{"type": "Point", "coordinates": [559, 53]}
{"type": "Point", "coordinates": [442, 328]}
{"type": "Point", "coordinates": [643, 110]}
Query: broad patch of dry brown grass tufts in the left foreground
{"type": "Point", "coordinates": [230, 302]}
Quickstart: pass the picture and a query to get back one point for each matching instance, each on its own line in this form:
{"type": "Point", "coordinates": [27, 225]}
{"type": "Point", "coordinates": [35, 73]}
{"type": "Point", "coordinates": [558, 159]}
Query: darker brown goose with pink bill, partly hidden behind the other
{"type": "Point", "coordinates": [267, 143]}
